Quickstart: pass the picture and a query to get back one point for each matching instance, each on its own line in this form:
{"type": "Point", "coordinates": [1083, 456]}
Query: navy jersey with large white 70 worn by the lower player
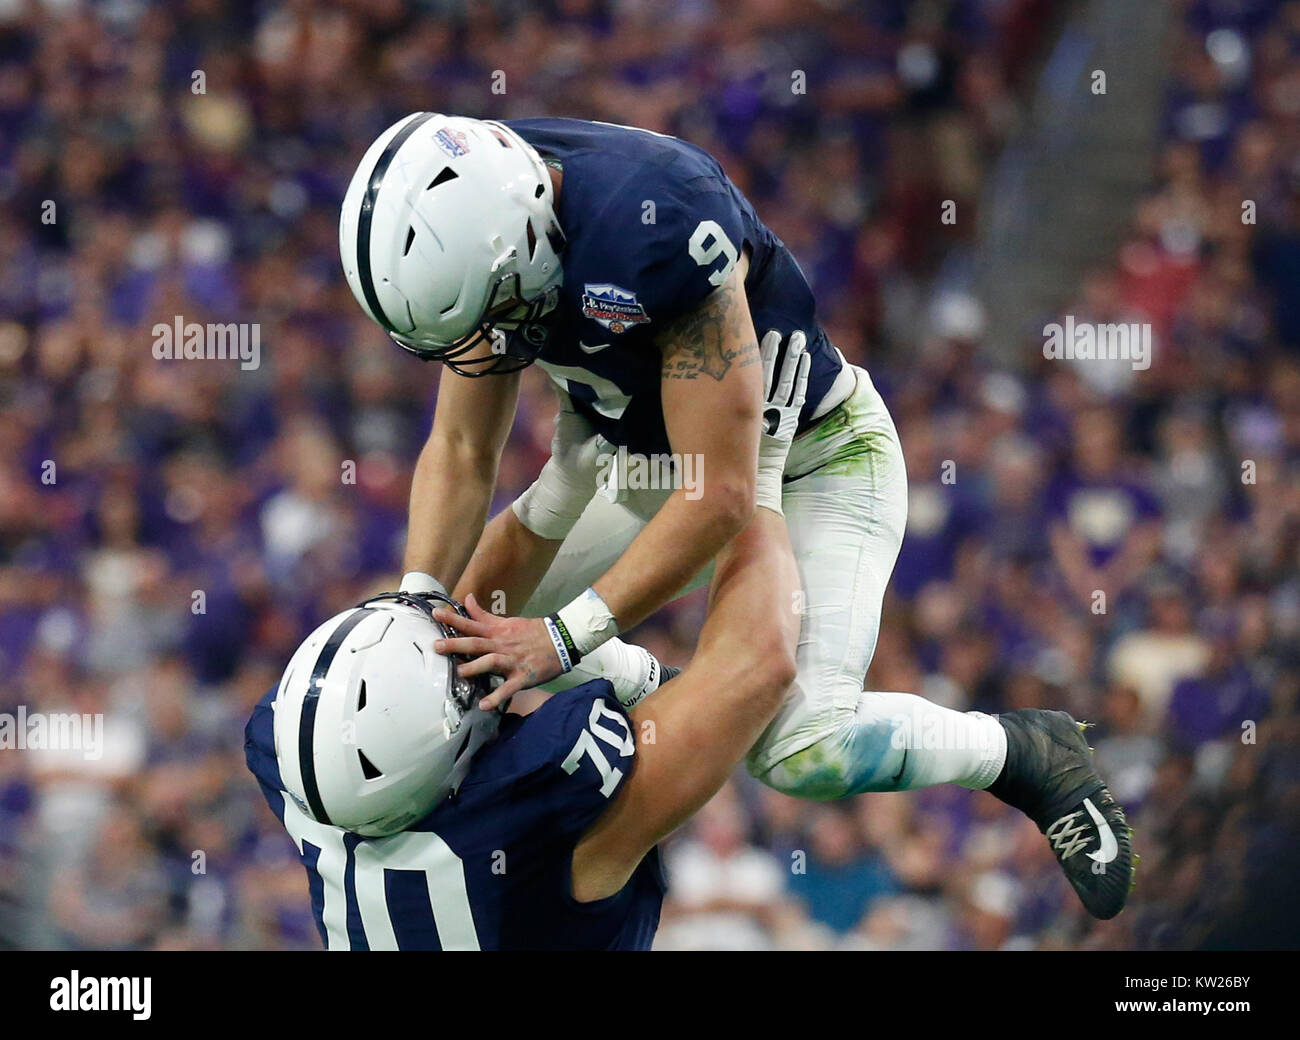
{"type": "Point", "coordinates": [489, 869]}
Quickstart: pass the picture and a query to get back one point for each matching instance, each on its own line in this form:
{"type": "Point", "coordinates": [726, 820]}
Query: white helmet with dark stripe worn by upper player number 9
{"type": "Point", "coordinates": [449, 233]}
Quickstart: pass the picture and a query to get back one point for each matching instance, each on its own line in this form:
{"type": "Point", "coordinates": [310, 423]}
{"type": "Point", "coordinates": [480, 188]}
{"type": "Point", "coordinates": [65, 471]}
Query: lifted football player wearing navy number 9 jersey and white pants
{"type": "Point", "coordinates": [635, 274]}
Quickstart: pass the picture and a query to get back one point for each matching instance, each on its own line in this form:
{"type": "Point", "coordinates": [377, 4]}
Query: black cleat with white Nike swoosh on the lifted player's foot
{"type": "Point", "coordinates": [1050, 775]}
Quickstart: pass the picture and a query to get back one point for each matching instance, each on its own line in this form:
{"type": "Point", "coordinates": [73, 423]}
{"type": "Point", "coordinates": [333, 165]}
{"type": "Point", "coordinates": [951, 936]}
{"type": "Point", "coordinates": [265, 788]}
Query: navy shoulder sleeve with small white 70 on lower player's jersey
{"type": "Point", "coordinates": [567, 761]}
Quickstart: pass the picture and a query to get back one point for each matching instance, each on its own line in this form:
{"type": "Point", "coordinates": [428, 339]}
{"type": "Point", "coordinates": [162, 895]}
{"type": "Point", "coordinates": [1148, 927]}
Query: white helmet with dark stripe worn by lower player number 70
{"type": "Point", "coordinates": [372, 727]}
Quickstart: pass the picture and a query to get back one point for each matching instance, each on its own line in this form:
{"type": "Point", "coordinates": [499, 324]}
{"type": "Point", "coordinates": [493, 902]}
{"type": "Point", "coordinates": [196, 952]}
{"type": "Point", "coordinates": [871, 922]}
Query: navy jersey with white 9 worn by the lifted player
{"type": "Point", "coordinates": [653, 227]}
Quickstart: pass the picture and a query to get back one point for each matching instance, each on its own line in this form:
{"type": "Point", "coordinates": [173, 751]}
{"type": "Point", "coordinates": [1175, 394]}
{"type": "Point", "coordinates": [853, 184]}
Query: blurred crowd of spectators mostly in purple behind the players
{"type": "Point", "coordinates": [171, 530]}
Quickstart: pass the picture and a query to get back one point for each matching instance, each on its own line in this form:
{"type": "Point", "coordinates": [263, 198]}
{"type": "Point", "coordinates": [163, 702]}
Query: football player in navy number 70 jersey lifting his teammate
{"type": "Point", "coordinates": [427, 822]}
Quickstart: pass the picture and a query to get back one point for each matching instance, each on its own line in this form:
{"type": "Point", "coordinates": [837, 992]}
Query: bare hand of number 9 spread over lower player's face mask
{"type": "Point", "coordinates": [518, 649]}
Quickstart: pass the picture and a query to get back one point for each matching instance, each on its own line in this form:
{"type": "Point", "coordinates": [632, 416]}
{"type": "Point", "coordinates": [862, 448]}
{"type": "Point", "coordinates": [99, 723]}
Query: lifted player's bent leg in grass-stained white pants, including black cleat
{"type": "Point", "coordinates": [846, 510]}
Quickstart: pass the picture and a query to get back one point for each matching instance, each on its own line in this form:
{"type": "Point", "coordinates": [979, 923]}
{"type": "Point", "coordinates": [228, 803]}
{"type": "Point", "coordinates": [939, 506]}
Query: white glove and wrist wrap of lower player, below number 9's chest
{"type": "Point", "coordinates": [556, 501]}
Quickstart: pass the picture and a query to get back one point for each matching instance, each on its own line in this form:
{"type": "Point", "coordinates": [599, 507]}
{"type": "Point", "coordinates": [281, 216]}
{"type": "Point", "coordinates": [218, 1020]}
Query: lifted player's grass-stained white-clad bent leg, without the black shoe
{"type": "Point", "coordinates": [847, 509]}
